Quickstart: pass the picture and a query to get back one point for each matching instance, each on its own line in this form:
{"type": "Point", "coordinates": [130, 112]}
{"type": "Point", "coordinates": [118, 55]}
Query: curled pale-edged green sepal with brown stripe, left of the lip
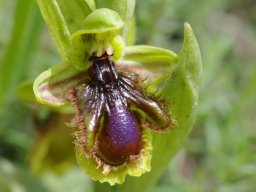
{"type": "Point", "coordinates": [51, 87]}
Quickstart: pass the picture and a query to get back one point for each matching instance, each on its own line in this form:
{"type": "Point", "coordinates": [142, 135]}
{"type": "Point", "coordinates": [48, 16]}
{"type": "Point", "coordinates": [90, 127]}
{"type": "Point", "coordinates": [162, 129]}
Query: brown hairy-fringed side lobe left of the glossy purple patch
{"type": "Point", "coordinates": [88, 106]}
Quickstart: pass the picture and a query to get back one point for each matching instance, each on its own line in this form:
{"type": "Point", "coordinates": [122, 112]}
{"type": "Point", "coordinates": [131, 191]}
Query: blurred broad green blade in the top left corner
{"type": "Point", "coordinates": [27, 25]}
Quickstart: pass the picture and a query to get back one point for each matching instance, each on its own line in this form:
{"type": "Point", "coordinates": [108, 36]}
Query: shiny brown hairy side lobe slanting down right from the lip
{"type": "Point", "coordinates": [153, 111]}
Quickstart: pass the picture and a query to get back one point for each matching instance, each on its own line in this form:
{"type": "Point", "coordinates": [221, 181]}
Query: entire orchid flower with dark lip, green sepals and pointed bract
{"type": "Point", "coordinates": [119, 93]}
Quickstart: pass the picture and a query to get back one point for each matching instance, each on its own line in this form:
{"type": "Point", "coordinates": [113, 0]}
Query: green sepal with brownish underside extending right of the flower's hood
{"type": "Point", "coordinates": [149, 62]}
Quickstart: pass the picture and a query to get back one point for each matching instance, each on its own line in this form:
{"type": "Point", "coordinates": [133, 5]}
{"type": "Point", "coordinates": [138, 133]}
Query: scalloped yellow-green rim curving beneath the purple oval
{"type": "Point", "coordinates": [117, 174]}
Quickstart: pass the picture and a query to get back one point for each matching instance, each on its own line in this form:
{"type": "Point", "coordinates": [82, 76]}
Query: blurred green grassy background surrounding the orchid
{"type": "Point", "coordinates": [220, 154]}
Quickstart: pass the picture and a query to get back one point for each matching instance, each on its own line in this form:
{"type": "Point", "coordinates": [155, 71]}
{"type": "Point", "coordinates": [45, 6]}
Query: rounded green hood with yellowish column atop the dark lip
{"type": "Point", "coordinates": [99, 33]}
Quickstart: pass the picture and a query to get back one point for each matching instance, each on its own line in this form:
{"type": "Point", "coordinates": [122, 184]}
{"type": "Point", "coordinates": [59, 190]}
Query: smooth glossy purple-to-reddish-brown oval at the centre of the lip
{"type": "Point", "coordinates": [120, 136]}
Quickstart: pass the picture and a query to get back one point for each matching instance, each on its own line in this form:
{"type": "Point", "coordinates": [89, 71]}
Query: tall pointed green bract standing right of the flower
{"type": "Point", "coordinates": [181, 91]}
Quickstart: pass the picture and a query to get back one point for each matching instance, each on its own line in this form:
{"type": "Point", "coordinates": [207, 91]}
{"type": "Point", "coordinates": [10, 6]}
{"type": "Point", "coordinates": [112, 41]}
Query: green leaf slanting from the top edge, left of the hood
{"type": "Point", "coordinates": [64, 17]}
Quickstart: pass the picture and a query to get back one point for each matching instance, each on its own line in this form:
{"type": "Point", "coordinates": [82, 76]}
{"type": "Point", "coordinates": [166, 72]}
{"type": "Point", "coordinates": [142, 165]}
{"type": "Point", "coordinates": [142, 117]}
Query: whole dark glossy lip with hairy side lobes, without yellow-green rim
{"type": "Point", "coordinates": [112, 109]}
